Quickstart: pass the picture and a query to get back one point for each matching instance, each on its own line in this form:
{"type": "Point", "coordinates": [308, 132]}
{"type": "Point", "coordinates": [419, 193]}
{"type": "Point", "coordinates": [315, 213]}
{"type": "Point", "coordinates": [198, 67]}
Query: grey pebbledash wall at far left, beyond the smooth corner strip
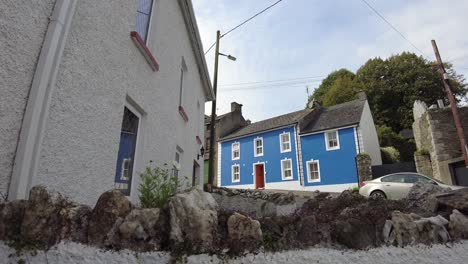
{"type": "Point", "coordinates": [23, 24]}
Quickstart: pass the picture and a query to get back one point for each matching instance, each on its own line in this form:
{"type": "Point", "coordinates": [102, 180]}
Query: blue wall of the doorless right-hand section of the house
{"type": "Point", "coordinates": [336, 166]}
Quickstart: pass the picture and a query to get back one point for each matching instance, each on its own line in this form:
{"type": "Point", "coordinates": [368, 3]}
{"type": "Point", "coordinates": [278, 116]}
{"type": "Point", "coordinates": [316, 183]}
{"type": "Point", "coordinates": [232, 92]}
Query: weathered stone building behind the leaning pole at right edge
{"type": "Point", "coordinates": [434, 130]}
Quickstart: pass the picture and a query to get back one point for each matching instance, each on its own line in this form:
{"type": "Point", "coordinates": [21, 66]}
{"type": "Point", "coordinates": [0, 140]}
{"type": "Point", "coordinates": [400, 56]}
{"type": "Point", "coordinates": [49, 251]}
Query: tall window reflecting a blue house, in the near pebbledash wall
{"type": "Point", "coordinates": [126, 155]}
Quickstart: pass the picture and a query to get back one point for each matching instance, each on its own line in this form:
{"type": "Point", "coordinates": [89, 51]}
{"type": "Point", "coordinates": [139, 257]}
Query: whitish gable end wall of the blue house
{"type": "Point", "coordinates": [369, 136]}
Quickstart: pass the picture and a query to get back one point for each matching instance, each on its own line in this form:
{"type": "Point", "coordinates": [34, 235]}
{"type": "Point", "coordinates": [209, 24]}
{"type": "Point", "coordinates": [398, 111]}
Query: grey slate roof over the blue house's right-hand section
{"type": "Point", "coordinates": [341, 115]}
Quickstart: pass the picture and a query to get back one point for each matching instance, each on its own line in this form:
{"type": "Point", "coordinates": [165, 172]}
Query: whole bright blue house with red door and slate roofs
{"type": "Point", "coordinates": [311, 149]}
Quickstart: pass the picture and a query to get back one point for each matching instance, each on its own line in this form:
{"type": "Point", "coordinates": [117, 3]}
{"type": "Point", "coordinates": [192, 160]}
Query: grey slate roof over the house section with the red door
{"type": "Point", "coordinates": [264, 125]}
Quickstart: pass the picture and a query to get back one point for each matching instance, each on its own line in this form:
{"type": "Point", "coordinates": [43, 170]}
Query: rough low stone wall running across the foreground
{"type": "Point", "coordinates": [198, 222]}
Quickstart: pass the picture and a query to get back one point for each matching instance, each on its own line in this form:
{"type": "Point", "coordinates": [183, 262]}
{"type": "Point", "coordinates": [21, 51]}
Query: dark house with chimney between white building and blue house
{"type": "Point", "coordinates": [225, 124]}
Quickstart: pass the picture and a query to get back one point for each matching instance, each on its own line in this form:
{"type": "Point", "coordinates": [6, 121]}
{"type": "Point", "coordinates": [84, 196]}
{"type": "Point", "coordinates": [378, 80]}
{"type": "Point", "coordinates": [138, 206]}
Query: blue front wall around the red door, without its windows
{"type": "Point", "coordinates": [272, 157]}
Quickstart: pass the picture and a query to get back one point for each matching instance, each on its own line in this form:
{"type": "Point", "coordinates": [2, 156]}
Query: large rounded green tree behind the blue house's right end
{"type": "Point", "coordinates": [392, 85]}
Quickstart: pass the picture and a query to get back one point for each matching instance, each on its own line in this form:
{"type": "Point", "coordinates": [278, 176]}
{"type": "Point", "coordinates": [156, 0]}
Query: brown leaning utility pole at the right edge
{"type": "Point", "coordinates": [453, 103]}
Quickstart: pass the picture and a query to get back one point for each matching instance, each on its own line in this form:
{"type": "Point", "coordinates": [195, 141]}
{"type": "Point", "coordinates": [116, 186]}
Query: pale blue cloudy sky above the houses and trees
{"type": "Point", "coordinates": [308, 39]}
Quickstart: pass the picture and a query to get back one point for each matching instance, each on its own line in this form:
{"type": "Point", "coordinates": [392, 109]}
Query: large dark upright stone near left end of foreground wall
{"type": "Point", "coordinates": [42, 220]}
